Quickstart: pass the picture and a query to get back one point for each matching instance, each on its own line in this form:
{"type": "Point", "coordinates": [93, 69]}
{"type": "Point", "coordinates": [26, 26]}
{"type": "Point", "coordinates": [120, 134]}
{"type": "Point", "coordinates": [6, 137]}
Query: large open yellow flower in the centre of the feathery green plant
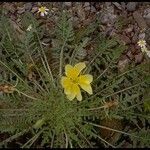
{"type": "Point", "coordinates": [74, 80]}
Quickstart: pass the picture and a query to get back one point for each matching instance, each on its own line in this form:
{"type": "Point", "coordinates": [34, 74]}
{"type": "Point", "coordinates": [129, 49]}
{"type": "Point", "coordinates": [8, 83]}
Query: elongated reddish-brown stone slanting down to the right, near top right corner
{"type": "Point", "coordinates": [140, 20]}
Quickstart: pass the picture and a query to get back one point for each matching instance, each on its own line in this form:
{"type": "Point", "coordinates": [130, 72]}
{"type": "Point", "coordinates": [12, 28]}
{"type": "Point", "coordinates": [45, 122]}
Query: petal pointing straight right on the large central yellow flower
{"type": "Point", "coordinates": [85, 79]}
